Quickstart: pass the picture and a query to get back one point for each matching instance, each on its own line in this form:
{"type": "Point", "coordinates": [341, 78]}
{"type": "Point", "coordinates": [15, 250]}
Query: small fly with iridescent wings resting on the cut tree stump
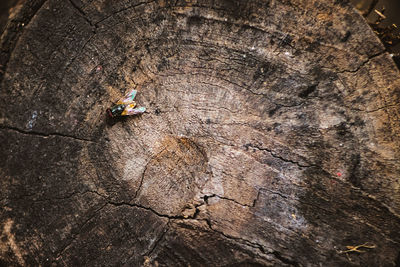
{"type": "Point", "coordinates": [125, 106]}
